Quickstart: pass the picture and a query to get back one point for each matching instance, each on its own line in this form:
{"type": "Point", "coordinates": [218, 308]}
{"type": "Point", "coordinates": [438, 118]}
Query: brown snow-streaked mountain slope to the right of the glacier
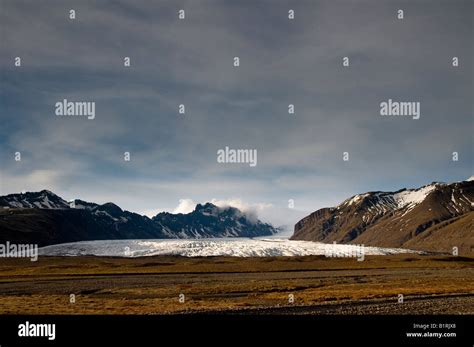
{"type": "Point", "coordinates": [437, 216]}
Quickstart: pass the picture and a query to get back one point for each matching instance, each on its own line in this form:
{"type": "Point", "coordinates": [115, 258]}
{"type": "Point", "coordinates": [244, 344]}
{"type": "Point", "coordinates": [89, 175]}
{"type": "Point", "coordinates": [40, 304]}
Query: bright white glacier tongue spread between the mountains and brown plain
{"type": "Point", "coordinates": [235, 247]}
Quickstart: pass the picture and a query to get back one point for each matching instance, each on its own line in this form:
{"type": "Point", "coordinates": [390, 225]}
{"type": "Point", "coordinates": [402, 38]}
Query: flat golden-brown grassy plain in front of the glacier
{"type": "Point", "coordinates": [318, 285]}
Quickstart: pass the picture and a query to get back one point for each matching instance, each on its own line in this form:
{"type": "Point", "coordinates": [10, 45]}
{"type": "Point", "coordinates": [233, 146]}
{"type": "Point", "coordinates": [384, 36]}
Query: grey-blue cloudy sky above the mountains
{"type": "Point", "coordinates": [190, 62]}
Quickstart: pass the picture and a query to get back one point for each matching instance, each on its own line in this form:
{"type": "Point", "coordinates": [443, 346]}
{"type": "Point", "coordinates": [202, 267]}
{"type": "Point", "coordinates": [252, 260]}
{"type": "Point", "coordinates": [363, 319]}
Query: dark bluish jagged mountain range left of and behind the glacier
{"type": "Point", "coordinates": [45, 218]}
